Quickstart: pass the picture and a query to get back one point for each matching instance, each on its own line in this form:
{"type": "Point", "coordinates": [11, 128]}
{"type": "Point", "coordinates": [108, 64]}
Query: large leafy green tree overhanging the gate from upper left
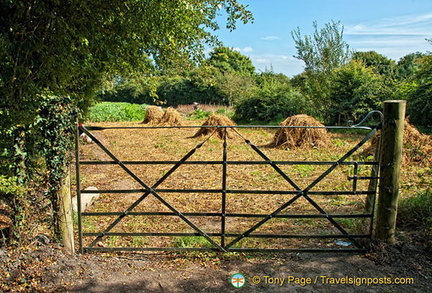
{"type": "Point", "coordinates": [54, 48]}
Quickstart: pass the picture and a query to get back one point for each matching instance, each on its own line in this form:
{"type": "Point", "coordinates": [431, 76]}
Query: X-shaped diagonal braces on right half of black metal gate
{"type": "Point", "coordinates": [302, 192]}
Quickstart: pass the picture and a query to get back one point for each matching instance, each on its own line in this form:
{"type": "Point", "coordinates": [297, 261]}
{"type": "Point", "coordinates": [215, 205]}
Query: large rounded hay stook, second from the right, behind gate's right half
{"type": "Point", "coordinates": [302, 136]}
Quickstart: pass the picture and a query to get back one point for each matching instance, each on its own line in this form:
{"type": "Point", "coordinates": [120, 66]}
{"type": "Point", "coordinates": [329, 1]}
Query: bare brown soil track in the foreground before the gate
{"type": "Point", "coordinates": [48, 268]}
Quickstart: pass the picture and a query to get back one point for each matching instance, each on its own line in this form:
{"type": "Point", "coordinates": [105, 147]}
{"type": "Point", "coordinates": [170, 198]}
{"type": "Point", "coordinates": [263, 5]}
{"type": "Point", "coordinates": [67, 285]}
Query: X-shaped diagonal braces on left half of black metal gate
{"type": "Point", "coordinates": [150, 190]}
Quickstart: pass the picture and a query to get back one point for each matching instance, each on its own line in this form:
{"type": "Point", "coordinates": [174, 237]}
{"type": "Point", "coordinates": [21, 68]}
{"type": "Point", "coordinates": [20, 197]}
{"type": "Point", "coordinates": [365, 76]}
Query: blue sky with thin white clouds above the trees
{"type": "Point", "coordinates": [392, 28]}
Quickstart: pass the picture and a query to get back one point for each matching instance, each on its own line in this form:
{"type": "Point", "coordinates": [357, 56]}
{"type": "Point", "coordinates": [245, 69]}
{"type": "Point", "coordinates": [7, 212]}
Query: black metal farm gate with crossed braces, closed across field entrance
{"type": "Point", "coordinates": [286, 209]}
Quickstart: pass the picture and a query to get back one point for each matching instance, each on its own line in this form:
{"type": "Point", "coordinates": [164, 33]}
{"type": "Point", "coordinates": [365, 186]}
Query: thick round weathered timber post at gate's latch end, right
{"type": "Point", "coordinates": [390, 164]}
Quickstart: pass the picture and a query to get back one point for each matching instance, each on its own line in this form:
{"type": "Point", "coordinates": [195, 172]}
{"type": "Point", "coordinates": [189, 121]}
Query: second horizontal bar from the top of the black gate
{"type": "Point", "coordinates": [372, 163]}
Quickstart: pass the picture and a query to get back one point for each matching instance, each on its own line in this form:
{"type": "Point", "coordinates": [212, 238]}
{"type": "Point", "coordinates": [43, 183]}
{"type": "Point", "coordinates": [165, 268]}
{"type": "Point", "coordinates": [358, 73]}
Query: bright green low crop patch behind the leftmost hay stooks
{"type": "Point", "coordinates": [113, 112]}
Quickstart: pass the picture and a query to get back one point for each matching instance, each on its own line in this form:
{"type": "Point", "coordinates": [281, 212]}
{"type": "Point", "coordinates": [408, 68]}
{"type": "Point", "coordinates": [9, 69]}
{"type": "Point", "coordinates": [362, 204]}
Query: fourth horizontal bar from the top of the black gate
{"type": "Point", "coordinates": [282, 216]}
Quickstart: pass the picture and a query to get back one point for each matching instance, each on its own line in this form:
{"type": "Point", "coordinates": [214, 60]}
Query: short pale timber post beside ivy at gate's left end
{"type": "Point", "coordinates": [66, 218]}
